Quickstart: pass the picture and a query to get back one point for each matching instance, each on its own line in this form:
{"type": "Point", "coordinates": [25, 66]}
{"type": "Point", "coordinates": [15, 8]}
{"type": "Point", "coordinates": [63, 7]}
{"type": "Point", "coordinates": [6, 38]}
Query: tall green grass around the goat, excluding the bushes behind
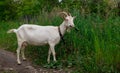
{"type": "Point", "coordinates": [95, 48]}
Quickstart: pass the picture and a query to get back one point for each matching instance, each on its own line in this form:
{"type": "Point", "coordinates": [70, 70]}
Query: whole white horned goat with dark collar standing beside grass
{"type": "Point", "coordinates": [40, 35]}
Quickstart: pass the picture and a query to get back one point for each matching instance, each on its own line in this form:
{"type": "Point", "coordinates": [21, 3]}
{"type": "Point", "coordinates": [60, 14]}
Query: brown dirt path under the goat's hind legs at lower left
{"type": "Point", "coordinates": [8, 65]}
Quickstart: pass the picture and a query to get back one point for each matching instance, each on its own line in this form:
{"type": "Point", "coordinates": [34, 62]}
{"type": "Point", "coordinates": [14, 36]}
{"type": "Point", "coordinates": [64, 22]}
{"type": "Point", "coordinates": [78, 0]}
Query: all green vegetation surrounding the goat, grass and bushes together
{"type": "Point", "coordinates": [94, 48]}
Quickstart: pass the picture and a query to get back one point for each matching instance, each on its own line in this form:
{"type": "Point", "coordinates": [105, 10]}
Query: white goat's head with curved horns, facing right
{"type": "Point", "coordinates": [68, 19]}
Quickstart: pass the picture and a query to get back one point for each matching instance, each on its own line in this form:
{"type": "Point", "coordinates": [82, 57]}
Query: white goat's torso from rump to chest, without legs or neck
{"type": "Point", "coordinates": [38, 35]}
